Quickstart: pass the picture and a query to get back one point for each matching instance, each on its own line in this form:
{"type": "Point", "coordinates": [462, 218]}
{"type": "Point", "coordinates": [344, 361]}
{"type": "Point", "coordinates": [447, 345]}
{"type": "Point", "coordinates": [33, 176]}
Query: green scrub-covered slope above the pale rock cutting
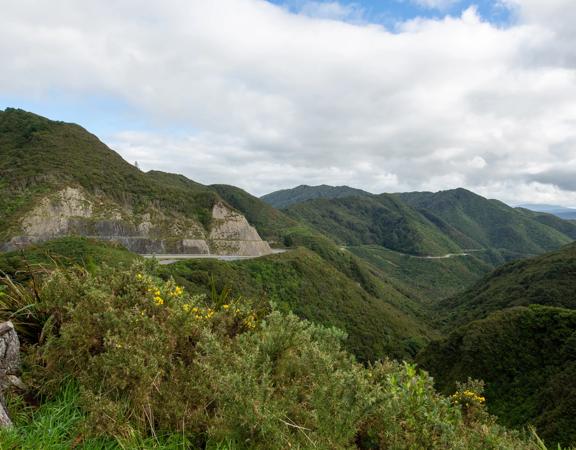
{"type": "Point", "coordinates": [39, 156]}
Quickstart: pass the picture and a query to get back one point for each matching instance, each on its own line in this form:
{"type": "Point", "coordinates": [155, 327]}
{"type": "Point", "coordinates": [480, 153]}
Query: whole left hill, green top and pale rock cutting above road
{"type": "Point", "coordinates": [57, 179]}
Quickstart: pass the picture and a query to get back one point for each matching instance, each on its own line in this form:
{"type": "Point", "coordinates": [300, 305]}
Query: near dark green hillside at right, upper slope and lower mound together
{"type": "Point", "coordinates": [516, 330]}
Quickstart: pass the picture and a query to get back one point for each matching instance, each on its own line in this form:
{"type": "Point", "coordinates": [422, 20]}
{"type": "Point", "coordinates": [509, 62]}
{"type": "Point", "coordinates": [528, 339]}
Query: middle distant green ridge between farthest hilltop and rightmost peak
{"type": "Point", "coordinates": [382, 220]}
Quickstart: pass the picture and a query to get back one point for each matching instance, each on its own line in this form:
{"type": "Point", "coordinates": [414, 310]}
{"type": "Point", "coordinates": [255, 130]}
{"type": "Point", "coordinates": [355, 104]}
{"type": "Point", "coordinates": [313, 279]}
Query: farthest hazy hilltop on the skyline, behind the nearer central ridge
{"type": "Point", "coordinates": [287, 197]}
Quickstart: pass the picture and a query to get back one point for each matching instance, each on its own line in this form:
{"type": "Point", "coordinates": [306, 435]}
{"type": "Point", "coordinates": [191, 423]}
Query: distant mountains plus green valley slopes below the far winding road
{"type": "Point", "coordinates": [432, 244]}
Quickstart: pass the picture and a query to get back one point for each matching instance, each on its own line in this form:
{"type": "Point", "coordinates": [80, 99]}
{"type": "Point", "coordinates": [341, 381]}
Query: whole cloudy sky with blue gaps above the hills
{"type": "Point", "coordinates": [382, 95]}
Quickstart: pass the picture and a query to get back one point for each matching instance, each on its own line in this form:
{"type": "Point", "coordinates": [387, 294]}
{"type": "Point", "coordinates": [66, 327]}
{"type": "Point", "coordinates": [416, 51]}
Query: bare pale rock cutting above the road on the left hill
{"type": "Point", "coordinates": [71, 211]}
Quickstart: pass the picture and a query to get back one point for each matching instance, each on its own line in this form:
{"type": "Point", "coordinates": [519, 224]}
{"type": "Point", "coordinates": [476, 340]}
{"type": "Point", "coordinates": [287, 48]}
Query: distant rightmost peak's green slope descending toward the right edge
{"type": "Point", "coordinates": [490, 223]}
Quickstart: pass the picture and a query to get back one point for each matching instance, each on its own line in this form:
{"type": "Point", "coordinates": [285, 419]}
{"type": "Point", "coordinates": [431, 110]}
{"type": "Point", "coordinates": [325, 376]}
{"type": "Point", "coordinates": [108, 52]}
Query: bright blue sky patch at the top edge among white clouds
{"type": "Point", "coordinates": [389, 12]}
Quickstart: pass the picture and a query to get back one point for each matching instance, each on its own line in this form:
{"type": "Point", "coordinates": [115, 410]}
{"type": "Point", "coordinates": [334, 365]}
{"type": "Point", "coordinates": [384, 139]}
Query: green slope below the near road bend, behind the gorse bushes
{"type": "Point", "coordinates": [308, 285]}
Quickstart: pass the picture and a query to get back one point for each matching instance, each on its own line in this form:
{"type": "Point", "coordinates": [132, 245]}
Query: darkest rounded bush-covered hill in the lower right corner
{"type": "Point", "coordinates": [526, 356]}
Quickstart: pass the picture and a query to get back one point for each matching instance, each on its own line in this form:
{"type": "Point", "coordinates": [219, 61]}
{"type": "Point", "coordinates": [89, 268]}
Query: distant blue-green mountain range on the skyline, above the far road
{"type": "Point", "coordinates": [424, 223]}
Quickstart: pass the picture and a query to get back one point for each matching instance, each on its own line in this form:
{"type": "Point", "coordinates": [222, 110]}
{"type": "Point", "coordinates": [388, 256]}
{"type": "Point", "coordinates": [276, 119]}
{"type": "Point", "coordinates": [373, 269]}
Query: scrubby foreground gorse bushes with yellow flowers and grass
{"type": "Point", "coordinates": [123, 359]}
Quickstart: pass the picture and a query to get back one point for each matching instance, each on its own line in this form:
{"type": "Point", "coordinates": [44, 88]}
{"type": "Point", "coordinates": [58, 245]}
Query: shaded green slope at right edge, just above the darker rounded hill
{"type": "Point", "coordinates": [548, 279]}
